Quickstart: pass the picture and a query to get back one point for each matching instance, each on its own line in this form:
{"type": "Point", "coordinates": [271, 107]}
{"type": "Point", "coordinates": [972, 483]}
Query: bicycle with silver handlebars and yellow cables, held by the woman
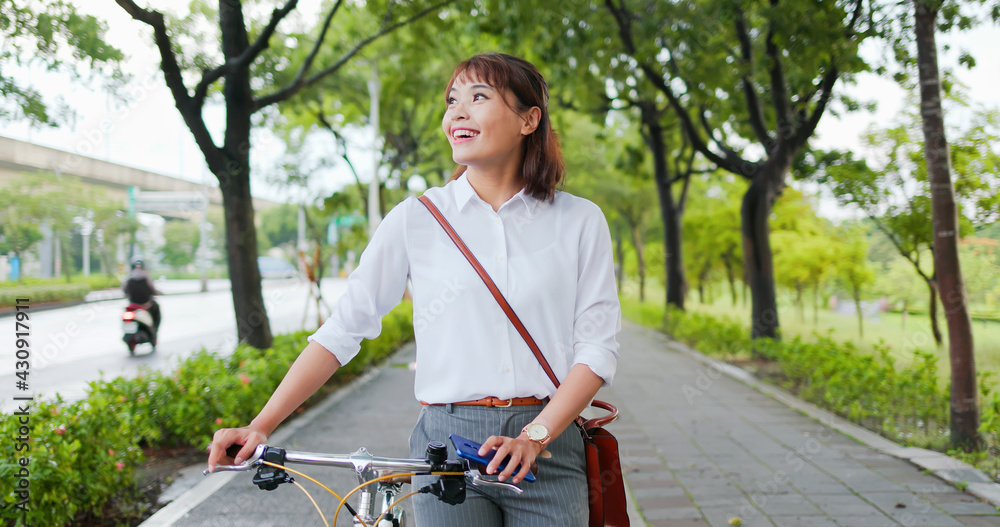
{"type": "Point", "coordinates": [390, 474]}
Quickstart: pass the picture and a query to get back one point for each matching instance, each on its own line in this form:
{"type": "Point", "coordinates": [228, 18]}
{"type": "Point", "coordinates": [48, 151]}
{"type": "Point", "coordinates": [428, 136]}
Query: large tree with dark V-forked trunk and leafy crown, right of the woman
{"type": "Point", "coordinates": [717, 63]}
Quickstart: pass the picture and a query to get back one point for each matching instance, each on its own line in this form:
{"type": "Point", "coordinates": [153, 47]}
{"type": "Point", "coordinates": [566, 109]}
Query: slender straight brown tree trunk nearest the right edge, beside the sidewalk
{"type": "Point", "coordinates": [951, 287]}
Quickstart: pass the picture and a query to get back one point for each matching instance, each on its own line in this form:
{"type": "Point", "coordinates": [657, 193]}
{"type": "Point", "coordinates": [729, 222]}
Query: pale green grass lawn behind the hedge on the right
{"type": "Point", "coordinates": [889, 328]}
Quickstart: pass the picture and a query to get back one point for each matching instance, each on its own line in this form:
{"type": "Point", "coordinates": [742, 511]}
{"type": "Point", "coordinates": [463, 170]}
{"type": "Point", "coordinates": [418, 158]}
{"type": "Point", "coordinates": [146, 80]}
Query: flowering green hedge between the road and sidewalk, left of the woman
{"type": "Point", "coordinates": [84, 454]}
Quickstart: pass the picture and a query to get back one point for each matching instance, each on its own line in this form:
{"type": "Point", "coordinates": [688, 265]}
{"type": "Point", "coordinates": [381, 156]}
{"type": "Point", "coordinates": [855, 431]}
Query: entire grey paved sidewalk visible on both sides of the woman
{"type": "Point", "coordinates": [699, 448]}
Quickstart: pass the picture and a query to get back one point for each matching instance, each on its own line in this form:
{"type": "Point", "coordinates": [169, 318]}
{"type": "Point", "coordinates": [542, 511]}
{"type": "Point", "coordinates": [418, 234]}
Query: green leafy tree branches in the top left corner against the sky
{"type": "Point", "coordinates": [47, 34]}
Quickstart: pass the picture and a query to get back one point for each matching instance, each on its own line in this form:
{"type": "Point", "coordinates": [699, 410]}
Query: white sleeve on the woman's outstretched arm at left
{"type": "Point", "coordinates": [373, 289]}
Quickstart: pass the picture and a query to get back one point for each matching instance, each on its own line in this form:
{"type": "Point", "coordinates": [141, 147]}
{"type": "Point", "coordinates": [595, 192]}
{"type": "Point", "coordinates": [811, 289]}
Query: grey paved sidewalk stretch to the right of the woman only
{"type": "Point", "coordinates": [701, 448]}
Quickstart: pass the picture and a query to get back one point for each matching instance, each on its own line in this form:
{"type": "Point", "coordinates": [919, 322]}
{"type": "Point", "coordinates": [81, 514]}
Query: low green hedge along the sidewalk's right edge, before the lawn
{"type": "Point", "coordinates": [905, 404]}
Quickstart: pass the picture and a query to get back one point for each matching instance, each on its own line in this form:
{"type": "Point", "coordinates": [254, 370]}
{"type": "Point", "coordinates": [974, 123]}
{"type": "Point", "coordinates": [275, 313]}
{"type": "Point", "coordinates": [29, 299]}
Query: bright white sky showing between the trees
{"type": "Point", "coordinates": [147, 132]}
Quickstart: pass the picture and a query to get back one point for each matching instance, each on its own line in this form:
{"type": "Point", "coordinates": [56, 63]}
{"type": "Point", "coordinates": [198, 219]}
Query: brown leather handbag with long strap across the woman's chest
{"type": "Point", "coordinates": [604, 470]}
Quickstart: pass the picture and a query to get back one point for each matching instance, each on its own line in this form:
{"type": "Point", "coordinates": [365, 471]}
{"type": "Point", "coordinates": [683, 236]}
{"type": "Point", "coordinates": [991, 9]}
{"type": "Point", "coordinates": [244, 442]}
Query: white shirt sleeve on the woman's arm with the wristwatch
{"type": "Point", "coordinates": [598, 311]}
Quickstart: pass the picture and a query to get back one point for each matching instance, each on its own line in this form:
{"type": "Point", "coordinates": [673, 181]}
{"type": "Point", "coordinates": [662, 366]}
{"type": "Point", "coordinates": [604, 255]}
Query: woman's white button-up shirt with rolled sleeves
{"type": "Point", "coordinates": [552, 261]}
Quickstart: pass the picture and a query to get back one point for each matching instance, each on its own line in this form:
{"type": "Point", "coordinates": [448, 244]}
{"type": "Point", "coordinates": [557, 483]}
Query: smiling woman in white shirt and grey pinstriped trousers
{"type": "Point", "coordinates": [550, 255]}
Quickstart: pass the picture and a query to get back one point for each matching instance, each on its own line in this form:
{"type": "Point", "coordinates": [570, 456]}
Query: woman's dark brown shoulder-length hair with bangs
{"type": "Point", "coordinates": [542, 168]}
